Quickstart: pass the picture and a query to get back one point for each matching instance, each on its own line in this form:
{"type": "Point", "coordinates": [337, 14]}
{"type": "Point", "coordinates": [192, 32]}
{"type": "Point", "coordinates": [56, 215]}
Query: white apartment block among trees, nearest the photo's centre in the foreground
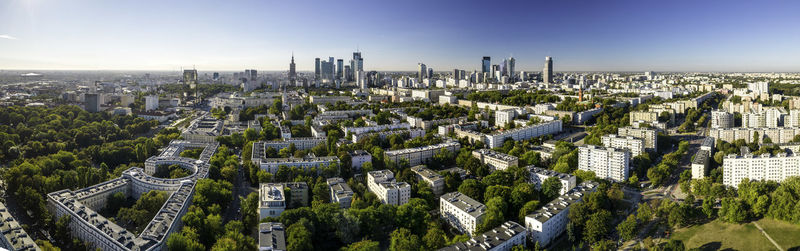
{"type": "Point", "coordinates": [388, 190]}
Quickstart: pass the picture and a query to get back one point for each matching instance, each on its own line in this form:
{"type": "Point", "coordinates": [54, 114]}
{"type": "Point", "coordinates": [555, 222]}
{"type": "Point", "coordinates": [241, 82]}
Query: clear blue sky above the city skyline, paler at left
{"type": "Point", "coordinates": [636, 35]}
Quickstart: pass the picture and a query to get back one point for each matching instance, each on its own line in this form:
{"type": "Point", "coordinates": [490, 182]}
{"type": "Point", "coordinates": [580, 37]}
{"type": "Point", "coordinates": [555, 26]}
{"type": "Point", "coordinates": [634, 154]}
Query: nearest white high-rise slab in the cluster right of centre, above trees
{"type": "Point", "coordinates": [606, 163]}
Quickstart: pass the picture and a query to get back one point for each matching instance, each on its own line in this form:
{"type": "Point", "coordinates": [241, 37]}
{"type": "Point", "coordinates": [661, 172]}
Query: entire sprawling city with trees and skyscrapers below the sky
{"type": "Point", "coordinates": [347, 159]}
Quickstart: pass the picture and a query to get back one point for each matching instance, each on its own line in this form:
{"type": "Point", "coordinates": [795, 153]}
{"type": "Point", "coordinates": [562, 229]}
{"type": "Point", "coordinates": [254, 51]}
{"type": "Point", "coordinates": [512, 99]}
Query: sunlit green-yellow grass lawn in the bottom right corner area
{"type": "Point", "coordinates": [718, 235]}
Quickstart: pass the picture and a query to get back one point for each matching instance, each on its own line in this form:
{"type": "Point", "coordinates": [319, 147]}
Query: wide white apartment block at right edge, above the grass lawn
{"type": "Point", "coordinates": [761, 167]}
